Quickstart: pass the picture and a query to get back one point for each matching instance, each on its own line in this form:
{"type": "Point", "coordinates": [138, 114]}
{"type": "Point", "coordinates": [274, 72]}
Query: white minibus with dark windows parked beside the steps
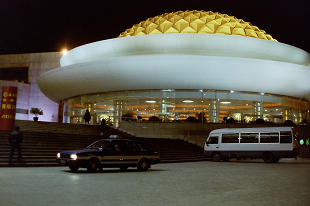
{"type": "Point", "coordinates": [268, 143]}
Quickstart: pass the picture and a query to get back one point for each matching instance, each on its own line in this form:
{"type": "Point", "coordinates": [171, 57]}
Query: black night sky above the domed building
{"type": "Point", "coordinates": [29, 26]}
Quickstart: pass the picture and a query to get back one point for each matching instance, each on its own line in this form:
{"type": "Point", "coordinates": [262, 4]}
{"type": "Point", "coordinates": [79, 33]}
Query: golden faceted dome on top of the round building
{"type": "Point", "coordinates": [196, 22]}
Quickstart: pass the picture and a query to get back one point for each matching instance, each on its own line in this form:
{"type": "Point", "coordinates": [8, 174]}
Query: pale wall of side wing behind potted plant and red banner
{"type": "Point", "coordinates": [29, 95]}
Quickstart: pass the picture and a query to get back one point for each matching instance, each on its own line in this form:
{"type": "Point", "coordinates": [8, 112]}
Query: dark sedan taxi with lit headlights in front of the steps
{"type": "Point", "coordinates": [107, 153]}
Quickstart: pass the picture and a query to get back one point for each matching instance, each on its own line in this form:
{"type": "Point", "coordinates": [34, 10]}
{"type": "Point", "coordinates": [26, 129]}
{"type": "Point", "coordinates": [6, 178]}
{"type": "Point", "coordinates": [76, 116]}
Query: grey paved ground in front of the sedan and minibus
{"type": "Point", "coordinates": [196, 183]}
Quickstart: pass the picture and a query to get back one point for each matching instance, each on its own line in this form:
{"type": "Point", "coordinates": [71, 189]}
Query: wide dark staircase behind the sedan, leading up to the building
{"type": "Point", "coordinates": [42, 141]}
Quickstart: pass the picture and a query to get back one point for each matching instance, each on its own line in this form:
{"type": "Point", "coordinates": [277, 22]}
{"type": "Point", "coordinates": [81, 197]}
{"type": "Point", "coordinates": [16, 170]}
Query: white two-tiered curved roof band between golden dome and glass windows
{"type": "Point", "coordinates": [180, 61]}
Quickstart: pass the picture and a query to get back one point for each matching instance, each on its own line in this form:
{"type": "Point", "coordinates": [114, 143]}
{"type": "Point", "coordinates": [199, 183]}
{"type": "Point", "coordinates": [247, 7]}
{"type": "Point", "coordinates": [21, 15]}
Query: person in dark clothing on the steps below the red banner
{"type": "Point", "coordinates": [15, 139]}
